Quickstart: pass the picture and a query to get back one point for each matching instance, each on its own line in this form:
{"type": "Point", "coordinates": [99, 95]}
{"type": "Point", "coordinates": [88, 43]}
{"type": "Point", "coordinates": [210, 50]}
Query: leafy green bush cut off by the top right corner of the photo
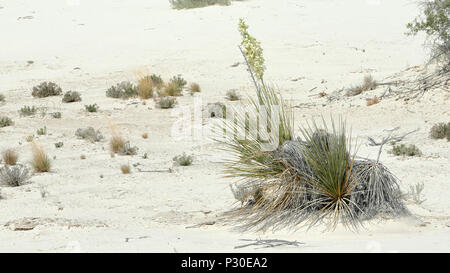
{"type": "Point", "coordinates": [435, 23]}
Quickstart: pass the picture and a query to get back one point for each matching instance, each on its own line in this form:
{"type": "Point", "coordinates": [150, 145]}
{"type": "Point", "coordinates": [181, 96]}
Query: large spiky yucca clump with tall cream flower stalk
{"type": "Point", "coordinates": [298, 181]}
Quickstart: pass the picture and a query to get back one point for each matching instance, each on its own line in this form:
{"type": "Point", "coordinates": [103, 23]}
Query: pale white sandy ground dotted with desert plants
{"type": "Point", "coordinates": [87, 46]}
